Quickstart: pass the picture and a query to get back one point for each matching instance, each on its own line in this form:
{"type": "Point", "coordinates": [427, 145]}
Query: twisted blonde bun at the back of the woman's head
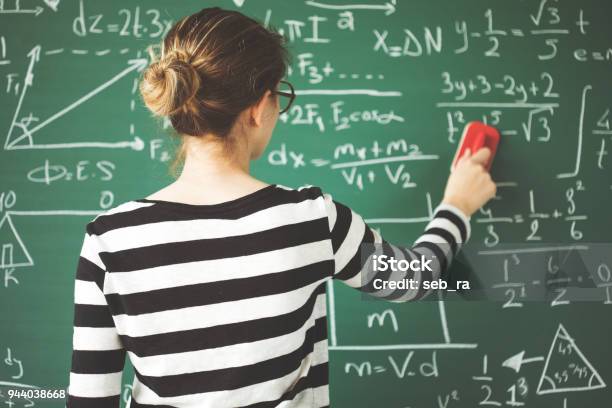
{"type": "Point", "coordinates": [169, 84]}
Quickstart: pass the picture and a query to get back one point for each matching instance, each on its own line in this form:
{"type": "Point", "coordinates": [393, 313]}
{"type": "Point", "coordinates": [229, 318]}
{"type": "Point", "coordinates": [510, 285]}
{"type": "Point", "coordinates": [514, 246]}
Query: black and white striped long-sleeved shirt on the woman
{"type": "Point", "coordinates": [222, 305]}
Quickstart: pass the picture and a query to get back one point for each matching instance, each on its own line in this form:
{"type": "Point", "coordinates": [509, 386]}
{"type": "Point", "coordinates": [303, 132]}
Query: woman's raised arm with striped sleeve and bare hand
{"type": "Point", "coordinates": [355, 244]}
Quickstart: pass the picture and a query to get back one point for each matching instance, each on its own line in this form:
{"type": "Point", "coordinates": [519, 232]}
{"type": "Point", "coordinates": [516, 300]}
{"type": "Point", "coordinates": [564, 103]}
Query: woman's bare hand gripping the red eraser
{"type": "Point", "coordinates": [469, 185]}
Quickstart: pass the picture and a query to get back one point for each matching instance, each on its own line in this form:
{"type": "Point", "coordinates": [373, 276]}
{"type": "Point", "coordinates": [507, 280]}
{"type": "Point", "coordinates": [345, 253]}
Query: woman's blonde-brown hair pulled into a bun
{"type": "Point", "coordinates": [213, 64]}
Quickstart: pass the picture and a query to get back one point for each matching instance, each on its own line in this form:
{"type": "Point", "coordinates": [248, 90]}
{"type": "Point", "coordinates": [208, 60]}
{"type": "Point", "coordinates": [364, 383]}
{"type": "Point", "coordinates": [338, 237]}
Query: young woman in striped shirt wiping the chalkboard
{"type": "Point", "coordinates": [215, 285]}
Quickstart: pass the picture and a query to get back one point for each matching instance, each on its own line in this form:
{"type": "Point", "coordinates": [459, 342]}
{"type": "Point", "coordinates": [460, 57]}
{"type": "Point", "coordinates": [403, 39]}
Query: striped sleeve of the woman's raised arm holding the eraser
{"type": "Point", "coordinates": [354, 243]}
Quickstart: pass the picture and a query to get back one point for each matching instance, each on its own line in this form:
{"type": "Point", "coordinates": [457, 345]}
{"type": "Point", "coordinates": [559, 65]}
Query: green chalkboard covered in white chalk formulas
{"type": "Point", "coordinates": [384, 91]}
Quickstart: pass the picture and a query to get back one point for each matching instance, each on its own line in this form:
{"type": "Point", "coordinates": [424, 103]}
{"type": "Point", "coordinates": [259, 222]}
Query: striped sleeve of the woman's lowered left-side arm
{"type": "Point", "coordinates": [98, 356]}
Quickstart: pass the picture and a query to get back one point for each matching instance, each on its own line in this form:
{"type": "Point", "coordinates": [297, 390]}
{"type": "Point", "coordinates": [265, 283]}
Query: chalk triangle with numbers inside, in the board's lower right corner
{"type": "Point", "coordinates": [566, 368]}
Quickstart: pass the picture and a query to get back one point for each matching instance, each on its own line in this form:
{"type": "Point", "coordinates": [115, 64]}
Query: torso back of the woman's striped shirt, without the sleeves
{"type": "Point", "coordinates": [218, 305]}
